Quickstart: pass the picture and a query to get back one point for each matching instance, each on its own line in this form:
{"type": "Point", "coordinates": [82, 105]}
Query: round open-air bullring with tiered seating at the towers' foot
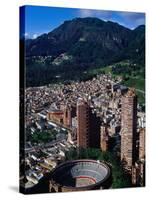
{"type": "Point", "coordinates": [80, 175]}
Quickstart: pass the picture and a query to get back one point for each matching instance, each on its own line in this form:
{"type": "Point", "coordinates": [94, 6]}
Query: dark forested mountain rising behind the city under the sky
{"type": "Point", "coordinates": [78, 45]}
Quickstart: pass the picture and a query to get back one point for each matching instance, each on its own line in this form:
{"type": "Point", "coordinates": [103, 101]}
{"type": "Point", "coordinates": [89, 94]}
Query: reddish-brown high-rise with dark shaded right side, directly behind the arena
{"type": "Point", "coordinates": [88, 126]}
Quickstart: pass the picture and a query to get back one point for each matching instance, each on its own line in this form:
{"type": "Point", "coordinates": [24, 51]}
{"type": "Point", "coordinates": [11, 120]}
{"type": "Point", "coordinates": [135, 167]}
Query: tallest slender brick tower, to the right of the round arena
{"type": "Point", "coordinates": [128, 128]}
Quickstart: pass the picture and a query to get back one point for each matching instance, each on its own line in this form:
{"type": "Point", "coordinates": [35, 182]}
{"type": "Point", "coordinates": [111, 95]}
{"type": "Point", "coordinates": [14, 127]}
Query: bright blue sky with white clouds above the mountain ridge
{"type": "Point", "coordinates": [40, 19]}
